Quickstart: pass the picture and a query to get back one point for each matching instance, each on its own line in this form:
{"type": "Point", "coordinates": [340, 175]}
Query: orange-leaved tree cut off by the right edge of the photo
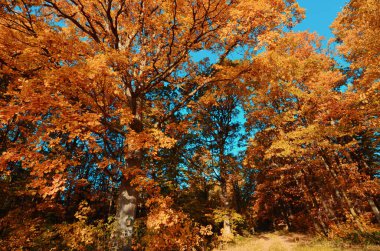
{"type": "Point", "coordinates": [355, 29]}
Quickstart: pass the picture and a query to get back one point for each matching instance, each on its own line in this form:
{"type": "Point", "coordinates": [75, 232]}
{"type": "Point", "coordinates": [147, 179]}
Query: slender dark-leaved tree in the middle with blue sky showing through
{"type": "Point", "coordinates": [216, 115]}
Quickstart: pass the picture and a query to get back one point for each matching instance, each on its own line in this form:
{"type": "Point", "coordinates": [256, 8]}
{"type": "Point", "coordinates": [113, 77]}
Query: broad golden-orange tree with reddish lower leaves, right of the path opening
{"type": "Point", "coordinates": [304, 137]}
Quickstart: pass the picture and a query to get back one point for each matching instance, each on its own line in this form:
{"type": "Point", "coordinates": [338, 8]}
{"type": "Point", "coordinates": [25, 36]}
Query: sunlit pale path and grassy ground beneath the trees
{"type": "Point", "coordinates": [291, 242]}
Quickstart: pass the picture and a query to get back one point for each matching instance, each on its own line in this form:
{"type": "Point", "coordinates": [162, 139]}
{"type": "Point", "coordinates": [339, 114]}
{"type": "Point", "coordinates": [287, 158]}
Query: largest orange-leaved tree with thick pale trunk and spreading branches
{"type": "Point", "coordinates": [85, 73]}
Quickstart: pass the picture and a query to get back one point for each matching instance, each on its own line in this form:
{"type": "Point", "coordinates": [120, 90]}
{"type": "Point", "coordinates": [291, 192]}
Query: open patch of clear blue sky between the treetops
{"type": "Point", "coordinates": [319, 15]}
